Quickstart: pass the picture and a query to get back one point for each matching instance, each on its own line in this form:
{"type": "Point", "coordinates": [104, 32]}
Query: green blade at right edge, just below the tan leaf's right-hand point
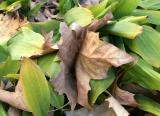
{"type": "Point", "coordinates": [142, 74]}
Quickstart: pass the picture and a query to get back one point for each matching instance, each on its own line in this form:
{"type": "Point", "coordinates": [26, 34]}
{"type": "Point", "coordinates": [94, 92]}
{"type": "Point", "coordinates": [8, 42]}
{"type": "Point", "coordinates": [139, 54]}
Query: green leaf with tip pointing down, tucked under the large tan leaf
{"type": "Point", "coordinates": [99, 86]}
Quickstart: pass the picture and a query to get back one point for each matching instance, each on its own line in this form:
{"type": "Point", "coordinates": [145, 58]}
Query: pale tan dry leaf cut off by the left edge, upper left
{"type": "Point", "coordinates": [9, 26]}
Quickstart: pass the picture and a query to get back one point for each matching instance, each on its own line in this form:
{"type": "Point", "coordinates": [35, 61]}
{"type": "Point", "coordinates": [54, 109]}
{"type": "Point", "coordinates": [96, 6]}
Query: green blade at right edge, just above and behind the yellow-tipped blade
{"type": "Point", "coordinates": [153, 16]}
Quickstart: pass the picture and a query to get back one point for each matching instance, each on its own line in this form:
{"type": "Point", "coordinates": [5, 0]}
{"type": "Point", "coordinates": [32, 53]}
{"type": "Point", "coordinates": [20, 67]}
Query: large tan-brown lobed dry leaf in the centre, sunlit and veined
{"type": "Point", "coordinates": [94, 60]}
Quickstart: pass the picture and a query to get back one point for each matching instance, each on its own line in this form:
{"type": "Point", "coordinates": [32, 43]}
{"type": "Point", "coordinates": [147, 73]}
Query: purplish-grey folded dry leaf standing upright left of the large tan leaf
{"type": "Point", "coordinates": [65, 82]}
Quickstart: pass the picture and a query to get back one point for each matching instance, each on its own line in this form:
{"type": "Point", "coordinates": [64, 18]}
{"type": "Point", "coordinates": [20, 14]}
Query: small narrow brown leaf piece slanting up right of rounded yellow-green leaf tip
{"type": "Point", "coordinates": [97, 24]}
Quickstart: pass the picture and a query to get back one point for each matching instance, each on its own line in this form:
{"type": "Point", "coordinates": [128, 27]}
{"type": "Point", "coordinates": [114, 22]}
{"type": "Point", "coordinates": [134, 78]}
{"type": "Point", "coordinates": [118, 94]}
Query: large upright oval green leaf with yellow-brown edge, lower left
{"type": "Point", "coordinates": [35, 88]}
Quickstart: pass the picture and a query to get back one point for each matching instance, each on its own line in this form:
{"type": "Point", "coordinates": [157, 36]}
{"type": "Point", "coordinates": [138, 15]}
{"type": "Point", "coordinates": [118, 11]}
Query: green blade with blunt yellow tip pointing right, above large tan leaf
{"type": "Point", "coordinates": [124, 29]}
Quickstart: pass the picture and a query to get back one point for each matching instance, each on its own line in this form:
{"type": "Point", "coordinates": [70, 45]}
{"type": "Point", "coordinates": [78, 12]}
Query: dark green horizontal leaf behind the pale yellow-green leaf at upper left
{"type": "Point", "coordinates": [47, 26]}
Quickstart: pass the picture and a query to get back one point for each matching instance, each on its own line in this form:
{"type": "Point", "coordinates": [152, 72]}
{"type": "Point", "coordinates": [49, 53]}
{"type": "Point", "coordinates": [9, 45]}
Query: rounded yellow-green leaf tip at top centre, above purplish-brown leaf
{"type": "Point", "coordinates": [79, 15]}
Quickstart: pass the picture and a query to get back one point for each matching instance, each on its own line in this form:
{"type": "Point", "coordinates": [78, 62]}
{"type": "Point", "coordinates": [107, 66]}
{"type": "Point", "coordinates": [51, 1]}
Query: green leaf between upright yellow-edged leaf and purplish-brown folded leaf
{"type": "Point", "coordinates": [49, 65]}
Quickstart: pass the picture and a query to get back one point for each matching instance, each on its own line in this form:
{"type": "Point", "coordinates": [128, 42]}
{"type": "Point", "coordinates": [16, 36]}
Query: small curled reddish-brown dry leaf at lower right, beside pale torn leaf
{"type": "Point", "coordinates": [124, 97]}
